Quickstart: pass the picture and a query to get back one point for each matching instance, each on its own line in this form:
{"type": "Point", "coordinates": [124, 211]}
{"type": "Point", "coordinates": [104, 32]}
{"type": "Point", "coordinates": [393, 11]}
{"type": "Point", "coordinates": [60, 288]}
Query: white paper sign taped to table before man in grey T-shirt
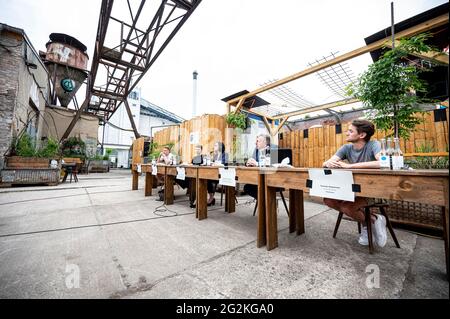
{"type": "Point", "coordinates": [337, 185]}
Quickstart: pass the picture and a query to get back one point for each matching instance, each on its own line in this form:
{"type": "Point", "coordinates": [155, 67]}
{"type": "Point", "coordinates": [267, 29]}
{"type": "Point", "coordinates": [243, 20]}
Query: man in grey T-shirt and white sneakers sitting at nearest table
{"type": "Point", "coordinates": [361, 153]}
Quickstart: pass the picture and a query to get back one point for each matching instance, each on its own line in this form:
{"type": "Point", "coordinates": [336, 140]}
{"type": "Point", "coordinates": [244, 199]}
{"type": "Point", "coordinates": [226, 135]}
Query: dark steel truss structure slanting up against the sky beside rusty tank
{"type": "Point", "coordinates": [117, 69]}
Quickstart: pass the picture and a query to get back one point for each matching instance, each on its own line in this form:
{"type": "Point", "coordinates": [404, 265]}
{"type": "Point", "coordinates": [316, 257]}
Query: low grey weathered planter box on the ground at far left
{"type": "Point", "coordinates": [46, 176]}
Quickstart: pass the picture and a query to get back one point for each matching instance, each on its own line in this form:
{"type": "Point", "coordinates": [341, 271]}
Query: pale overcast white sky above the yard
{"type": "Point", "coordinates": [233, 44]}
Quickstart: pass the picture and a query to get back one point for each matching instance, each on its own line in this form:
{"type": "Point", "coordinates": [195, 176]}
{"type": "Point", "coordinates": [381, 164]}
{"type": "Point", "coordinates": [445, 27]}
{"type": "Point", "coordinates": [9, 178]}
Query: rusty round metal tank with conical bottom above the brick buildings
{"type": "Point", "coordinates": [66, 60]}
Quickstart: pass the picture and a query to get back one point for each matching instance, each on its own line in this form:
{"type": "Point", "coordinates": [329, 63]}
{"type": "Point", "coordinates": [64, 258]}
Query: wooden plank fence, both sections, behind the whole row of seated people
{"type": "Point", "coordinates": [311, 151]}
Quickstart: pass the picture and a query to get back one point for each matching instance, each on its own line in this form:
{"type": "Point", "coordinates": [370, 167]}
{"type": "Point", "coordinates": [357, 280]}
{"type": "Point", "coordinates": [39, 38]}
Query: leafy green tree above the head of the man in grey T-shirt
{"type": "Point", "coordinates": [390, 87]}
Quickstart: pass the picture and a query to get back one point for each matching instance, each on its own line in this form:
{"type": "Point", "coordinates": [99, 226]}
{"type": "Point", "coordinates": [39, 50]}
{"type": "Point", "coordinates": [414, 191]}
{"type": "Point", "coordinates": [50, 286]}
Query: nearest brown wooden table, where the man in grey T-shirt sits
{"type": "Point", "coordinates": [421, 186]}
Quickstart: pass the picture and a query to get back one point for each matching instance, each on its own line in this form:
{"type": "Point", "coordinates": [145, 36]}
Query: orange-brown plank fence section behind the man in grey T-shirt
{"type": "Point", "coordinates": [323, 142]}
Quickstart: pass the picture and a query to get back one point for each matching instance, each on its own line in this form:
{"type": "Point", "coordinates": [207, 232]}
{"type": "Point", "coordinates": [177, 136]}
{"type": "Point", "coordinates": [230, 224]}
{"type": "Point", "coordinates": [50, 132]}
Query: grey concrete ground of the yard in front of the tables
{"type": "Point", "coordinates": [98, 239]}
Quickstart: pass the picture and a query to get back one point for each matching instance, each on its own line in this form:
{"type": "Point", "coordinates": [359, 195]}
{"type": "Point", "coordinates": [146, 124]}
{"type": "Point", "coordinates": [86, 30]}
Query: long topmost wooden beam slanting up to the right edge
{"type": "Point", "coordinates": [422, 27]}
